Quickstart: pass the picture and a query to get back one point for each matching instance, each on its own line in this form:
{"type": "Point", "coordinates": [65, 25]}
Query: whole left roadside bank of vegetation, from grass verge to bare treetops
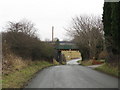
{"type": "Point", "coordinates": [24, 54]}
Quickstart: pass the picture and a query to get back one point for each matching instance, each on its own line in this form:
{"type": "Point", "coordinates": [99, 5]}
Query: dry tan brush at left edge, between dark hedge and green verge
{"type": "Point", "coordinates": [12, 63]}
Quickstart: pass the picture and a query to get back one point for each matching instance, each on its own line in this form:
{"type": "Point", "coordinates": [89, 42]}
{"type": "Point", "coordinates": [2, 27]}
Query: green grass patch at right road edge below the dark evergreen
{"type": "Point", "coordinates": [109, 69]}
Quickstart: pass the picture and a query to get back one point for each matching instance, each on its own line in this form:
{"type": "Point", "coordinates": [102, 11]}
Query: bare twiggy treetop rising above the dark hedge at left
{"type": "Point", "coordinates": [23, 26]}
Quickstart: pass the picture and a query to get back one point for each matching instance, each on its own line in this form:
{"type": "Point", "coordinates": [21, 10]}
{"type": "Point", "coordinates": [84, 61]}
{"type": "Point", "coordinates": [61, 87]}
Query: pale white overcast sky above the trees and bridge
{"type": "Point", "coordinates": [47, 13]}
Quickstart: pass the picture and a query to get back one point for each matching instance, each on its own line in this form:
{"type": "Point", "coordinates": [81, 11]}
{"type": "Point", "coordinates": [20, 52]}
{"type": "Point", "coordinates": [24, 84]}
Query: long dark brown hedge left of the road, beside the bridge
{"type": "Point", "coordinates": [26, 46]}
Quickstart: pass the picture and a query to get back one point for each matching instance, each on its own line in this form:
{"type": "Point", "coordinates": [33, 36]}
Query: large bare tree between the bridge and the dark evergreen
{"type": "Point", "coordinates": [87, 33]}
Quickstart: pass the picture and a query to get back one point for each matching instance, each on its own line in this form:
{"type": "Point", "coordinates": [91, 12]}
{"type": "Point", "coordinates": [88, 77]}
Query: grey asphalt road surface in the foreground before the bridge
{"type": "Point", "coordinates": [72, 76]}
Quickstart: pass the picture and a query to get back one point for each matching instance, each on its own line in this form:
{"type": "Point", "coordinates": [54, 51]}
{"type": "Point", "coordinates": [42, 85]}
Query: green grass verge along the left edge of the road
{"type": "Point", "coordinates": [19, 78]}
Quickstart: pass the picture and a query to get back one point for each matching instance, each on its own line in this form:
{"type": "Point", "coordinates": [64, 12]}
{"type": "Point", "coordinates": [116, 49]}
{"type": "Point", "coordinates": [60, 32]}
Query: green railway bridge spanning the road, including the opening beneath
{"type": "Point", "coordinates": [66, 51]}
